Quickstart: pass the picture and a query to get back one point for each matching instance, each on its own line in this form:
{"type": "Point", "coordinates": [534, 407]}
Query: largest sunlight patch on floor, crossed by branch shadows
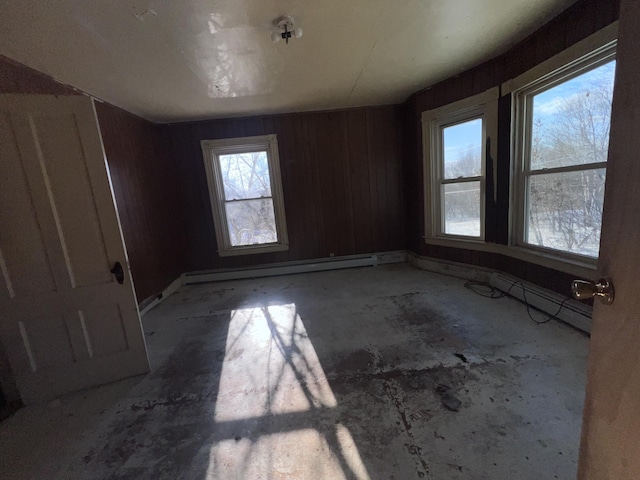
{"type": "Point", "coordinates": [270, 366]}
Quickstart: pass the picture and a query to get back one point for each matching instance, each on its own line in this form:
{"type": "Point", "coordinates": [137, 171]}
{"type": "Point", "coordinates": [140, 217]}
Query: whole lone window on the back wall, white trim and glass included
{"type": "Point", "coordinates": [246, 194]}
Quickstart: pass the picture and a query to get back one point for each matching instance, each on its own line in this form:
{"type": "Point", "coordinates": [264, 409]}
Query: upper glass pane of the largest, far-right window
{"type": "Point", "coordinates": [570, 124]}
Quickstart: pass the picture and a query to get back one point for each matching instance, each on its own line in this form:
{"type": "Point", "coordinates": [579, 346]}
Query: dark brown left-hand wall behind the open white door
{"type": "Point", "coordinates": [143, 181]}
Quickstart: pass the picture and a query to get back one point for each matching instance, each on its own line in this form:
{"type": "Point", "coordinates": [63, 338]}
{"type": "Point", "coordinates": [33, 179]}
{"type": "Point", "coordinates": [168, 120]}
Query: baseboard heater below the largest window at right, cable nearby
{"type": "Point", "coordinates": [573, 312]}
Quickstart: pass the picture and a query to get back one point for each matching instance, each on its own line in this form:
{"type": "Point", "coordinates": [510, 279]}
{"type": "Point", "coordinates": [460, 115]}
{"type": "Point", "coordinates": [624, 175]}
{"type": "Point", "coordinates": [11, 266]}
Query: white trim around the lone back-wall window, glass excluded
{"type": "Point", "coordinates": [211, 149]}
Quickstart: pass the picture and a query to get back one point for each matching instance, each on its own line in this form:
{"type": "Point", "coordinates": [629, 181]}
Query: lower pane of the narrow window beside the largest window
{"type": "Point", "coordinates": [461, 202]}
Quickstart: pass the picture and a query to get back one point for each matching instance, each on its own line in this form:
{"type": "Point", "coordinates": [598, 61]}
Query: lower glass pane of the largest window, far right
{"type": "Point", "coordinates": [565, 211]}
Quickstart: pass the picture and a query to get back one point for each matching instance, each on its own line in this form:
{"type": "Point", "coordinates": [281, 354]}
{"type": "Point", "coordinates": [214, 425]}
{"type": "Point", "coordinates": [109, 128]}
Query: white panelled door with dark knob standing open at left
{"type": "Point", "coordinates": [65, 321]}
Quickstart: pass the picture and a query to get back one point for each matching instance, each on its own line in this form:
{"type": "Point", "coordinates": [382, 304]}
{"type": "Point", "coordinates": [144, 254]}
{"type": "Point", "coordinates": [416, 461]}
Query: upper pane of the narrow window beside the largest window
{"type": "Point", "coordinates": [462, 149]}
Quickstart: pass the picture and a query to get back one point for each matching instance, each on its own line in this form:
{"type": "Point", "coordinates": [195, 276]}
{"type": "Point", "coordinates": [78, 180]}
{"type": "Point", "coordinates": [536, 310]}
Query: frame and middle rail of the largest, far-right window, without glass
{"type": "Point", "coordinates": [522, 110]}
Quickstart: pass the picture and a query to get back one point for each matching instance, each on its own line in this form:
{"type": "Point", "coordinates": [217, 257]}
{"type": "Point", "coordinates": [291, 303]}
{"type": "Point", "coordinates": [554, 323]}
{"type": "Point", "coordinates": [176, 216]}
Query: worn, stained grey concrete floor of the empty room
{"type": "Point", "coordinates": [327, 375]}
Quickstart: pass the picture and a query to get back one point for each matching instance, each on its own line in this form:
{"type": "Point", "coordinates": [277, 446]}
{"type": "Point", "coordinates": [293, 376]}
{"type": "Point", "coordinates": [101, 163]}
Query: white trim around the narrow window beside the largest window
{"type": "Point", "coordinates": [483, 105]}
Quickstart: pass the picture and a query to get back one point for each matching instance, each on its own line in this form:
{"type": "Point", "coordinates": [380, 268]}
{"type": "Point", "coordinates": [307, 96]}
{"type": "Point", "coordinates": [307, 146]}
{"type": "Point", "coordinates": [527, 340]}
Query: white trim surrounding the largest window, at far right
{"type": "Point", "coordinates": [601, 49]}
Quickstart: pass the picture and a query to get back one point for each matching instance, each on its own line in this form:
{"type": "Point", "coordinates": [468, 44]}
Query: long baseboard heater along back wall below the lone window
{"type": "Point", "coordinates": [285, 268]}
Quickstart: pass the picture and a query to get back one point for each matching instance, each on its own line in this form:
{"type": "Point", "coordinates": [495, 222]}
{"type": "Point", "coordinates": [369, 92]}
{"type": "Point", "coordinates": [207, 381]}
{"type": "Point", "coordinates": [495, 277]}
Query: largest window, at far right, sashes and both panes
{"type": "Point", "coordinates": [562, 128]}
